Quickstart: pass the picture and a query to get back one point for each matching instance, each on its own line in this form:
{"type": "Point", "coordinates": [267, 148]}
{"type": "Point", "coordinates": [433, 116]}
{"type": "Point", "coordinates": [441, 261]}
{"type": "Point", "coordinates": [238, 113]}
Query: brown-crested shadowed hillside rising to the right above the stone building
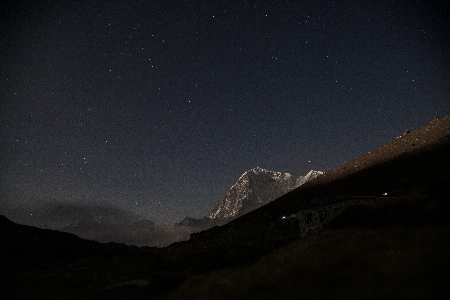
{"type": "Point", "coordinates": [410, 162]}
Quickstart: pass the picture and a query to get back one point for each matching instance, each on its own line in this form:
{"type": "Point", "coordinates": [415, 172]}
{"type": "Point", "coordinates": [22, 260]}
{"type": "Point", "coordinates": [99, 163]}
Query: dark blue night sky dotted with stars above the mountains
{"type": "Point", "coordinates": [157, 107]}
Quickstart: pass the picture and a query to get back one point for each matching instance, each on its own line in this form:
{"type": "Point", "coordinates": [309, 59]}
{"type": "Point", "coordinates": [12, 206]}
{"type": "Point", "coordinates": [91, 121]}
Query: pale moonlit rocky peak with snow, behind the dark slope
{"type": "Point", "coordinates": [256, 188]}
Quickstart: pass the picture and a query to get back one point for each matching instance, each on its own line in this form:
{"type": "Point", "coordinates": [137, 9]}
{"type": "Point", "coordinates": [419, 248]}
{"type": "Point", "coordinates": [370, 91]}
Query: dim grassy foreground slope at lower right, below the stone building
{"type": "Point", "coordinates": [354, 257]}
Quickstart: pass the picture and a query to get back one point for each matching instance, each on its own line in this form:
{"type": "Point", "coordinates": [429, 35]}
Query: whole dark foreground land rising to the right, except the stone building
{"type": "Point", "coordinates": [381, 248]}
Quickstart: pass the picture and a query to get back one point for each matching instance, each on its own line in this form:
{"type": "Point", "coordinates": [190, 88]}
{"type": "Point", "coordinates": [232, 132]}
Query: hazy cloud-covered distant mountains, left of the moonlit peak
{"type": "Point", "coordinates": [105, 223]}
